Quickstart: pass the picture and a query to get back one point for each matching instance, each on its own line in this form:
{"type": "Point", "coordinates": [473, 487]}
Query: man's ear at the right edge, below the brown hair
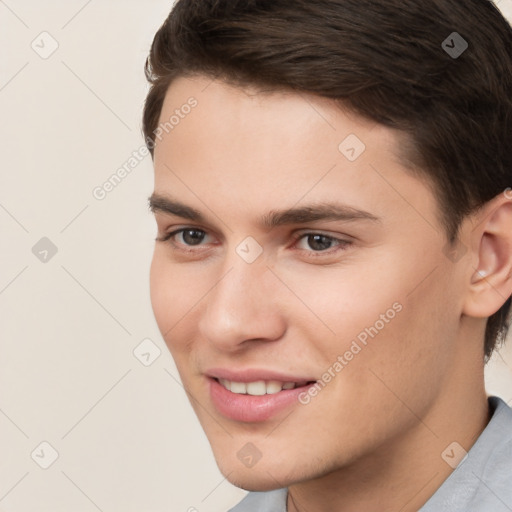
{"type": "Point", "coordinates": [490, 283]}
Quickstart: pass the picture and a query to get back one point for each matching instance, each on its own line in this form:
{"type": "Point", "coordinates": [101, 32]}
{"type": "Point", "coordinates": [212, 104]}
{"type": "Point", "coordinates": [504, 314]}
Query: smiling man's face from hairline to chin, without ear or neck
{"type": "Point", "coordinates": [366, 304]}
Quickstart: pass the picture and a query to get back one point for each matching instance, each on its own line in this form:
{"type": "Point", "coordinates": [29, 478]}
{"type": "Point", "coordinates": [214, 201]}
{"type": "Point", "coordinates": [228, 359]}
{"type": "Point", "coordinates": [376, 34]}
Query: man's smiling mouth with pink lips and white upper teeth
{"type": "Point", "coordinates": [256, 401]}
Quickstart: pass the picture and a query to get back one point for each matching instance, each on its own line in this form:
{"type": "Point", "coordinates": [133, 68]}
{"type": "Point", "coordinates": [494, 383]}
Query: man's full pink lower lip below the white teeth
{"type": "Point", "coordinates": [252, 409]}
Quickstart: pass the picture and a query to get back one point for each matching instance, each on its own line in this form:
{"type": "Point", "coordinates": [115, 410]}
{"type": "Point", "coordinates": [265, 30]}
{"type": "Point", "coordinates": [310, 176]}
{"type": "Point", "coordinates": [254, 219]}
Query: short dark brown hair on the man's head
{"type": "Point", "coordinates": [384, 59]}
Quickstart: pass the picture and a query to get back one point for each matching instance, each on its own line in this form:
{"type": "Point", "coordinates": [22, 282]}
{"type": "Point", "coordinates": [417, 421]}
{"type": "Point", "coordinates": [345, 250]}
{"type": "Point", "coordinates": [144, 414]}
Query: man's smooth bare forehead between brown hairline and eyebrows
{"type": "Point", "coordinates": [259, 149]}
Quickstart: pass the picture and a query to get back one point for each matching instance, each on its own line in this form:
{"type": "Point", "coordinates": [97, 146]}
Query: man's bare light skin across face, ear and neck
{"type": "Point", "coordinates": [372, 439]}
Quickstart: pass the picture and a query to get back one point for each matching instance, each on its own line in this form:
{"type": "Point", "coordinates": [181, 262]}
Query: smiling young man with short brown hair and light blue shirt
{"type": "Point", "coordinates": [333, 264]}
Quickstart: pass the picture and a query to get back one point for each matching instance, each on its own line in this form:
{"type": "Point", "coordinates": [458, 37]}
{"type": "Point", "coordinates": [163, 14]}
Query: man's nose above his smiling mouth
{"type": "Point", "coordinates": [243, 306]}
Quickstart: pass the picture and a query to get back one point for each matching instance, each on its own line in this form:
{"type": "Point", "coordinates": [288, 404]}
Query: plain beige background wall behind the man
{"type": "Point", "coordinates": [125, 435]}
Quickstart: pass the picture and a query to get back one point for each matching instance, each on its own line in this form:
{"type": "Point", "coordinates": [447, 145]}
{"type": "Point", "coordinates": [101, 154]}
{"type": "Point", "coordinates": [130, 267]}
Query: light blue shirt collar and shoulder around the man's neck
{"type": "Point", "coordinates": [481, 483]}
